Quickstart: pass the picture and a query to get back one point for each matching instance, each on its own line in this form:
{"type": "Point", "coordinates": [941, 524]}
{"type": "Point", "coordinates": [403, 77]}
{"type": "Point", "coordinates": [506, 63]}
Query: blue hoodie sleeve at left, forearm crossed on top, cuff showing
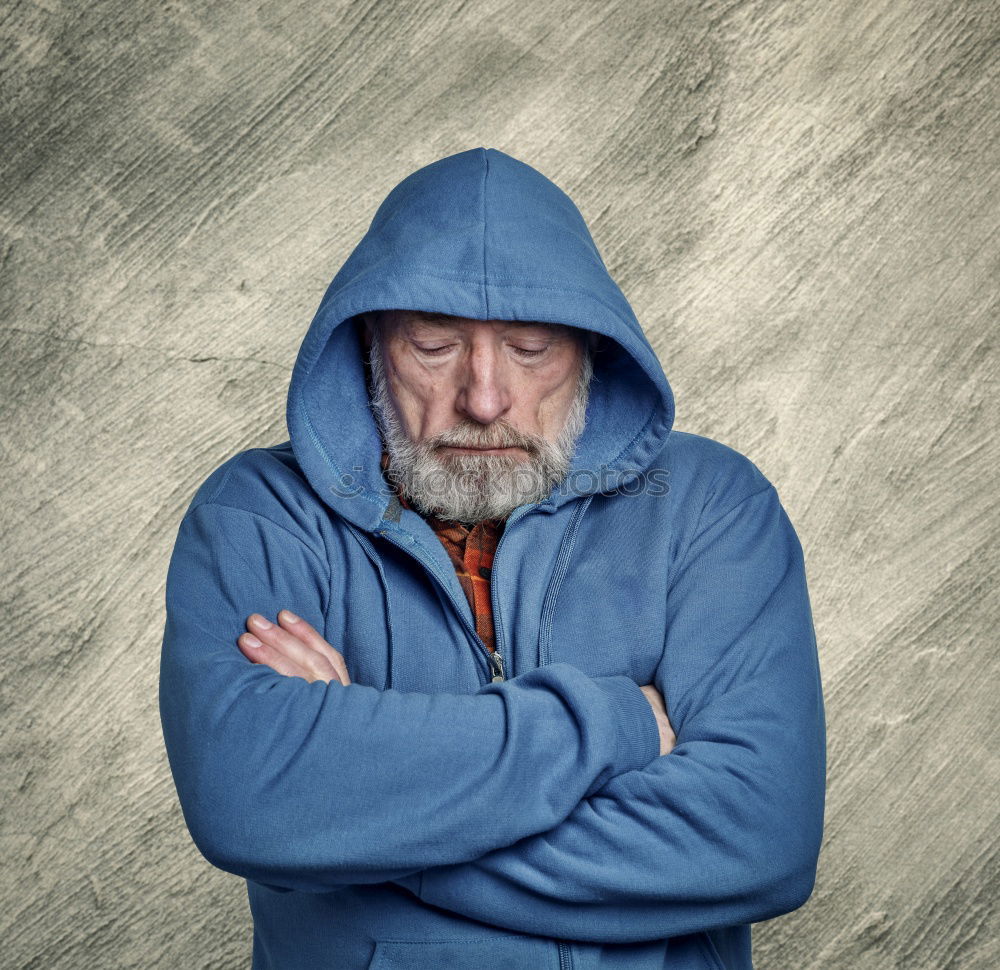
{"type": "Point", "coordinates": [307, 786]}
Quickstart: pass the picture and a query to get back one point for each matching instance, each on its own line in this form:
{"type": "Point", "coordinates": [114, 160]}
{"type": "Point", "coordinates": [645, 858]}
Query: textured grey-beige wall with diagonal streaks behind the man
{"type": "Point", "coordinates": [800, 200]}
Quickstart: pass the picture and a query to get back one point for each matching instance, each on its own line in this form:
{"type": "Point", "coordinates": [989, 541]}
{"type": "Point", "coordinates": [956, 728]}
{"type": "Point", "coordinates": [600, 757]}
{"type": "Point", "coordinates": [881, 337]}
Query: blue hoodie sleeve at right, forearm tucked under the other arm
{"type": "Point", "coordinates": [726, 828]}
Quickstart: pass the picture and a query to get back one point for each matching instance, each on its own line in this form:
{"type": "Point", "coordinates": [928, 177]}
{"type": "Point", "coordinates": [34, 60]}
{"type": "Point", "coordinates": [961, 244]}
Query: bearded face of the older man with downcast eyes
{"type": "Point", "coordinates": [478, 416]}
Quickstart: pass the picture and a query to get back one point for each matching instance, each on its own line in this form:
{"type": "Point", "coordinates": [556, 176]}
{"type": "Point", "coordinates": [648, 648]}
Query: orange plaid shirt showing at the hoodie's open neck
{"type": "Point", "coordinates": [471, 550]}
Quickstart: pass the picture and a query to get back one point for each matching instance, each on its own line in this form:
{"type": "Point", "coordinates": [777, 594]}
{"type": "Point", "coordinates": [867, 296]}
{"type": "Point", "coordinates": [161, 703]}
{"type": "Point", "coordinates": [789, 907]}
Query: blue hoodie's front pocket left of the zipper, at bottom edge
{"type": "Point", "coordinates": [491, 953]}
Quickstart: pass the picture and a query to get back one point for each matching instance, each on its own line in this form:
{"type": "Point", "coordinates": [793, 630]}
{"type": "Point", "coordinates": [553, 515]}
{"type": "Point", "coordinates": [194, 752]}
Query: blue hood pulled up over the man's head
{"type": "Point", "coordinates": [480, 235]}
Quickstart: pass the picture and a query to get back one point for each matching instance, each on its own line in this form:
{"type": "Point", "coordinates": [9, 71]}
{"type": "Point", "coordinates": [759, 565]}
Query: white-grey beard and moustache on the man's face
{"type": "Point", "coordinates": [468, 488]}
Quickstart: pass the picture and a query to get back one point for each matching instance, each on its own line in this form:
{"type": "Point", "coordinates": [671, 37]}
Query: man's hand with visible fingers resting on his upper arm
{"type": "Point", "coordinates": [292, 648]}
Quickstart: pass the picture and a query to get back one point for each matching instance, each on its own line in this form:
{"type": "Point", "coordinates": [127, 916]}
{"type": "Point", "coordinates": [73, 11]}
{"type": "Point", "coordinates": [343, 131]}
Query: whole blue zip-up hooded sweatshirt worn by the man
{"type": "Point", "coordinates": [431, 814]}
